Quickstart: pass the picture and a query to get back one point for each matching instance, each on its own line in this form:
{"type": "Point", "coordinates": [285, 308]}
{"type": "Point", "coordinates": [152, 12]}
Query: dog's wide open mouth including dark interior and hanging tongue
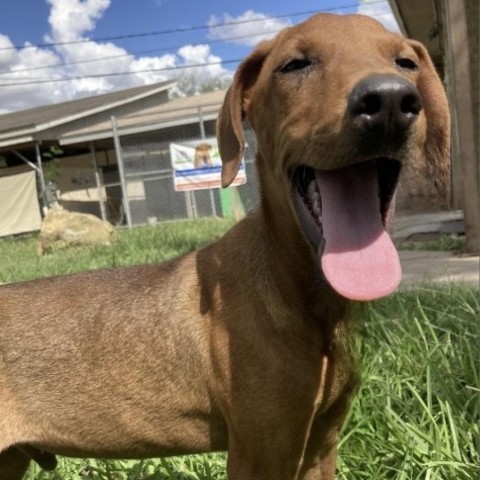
{"type": "Point", "coordinates": [345, 213]}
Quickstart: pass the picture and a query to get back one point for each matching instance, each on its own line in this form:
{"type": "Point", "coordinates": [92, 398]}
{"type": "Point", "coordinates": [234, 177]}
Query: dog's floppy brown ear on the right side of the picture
{"type": "Point", "coordinates": [435, 104]}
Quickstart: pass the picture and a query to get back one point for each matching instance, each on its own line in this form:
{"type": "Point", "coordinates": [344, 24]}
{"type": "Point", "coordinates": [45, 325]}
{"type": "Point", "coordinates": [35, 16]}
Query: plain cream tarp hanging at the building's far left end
{"type": "Point", "coordinates": [19, 207]}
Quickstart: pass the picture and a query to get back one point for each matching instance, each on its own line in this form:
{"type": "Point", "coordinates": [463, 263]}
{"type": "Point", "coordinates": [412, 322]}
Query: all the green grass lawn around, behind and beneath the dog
{"type": "Point", "coordinates": [416, 415]}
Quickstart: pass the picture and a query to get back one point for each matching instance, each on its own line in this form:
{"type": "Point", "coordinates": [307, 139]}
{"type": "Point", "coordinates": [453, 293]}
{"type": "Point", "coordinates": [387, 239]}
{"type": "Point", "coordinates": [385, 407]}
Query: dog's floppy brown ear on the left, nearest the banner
{"type": "Point", "coordinates": [230, 137]}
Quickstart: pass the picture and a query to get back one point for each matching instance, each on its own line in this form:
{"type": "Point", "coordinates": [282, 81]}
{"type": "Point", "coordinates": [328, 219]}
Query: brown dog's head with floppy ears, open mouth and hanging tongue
{"type": "Point", "coordinates": [339, 104]}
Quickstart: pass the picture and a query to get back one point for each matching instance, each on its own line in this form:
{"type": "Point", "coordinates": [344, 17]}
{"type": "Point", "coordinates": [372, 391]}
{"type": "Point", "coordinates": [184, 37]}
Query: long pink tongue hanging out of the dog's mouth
{"type": "Point", "coordinates": [359, 260]}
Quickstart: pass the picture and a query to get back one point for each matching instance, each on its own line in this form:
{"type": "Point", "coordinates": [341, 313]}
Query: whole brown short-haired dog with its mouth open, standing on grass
{"type": "Point", "coordinates": [242, 345]}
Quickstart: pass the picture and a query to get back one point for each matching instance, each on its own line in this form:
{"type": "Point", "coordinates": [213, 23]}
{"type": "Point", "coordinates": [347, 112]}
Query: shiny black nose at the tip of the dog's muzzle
{"type": "Point", "coordinates": [384, 102]}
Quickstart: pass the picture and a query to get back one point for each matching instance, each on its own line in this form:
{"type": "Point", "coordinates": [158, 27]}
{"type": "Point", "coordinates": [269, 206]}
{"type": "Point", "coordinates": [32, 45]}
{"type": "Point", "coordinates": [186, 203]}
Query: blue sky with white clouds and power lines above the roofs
{"type": "Point", "coordinates": [38, 75]}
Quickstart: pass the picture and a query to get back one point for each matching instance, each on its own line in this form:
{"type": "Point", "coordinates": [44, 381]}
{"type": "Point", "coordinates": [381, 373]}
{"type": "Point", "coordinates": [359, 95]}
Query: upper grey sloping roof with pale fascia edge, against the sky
{"type": "Point", "coordinates": [14, 127]}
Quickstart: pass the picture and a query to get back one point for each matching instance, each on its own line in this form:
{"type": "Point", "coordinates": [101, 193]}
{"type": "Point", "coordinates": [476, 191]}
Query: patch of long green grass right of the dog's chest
{"type": "Point", "coordinates": [417, 411]}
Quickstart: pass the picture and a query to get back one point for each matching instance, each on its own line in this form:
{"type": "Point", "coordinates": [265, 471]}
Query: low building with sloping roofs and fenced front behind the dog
{"type": "Point", "coordinates": [113, 155]}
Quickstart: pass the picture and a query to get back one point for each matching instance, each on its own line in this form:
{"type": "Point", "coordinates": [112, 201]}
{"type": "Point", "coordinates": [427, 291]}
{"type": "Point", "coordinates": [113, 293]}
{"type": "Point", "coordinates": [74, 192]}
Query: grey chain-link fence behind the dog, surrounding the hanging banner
{"type": "Point", "coordinates": [147, 177]}
